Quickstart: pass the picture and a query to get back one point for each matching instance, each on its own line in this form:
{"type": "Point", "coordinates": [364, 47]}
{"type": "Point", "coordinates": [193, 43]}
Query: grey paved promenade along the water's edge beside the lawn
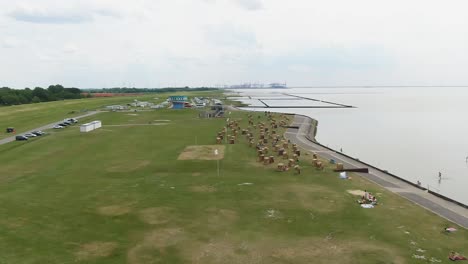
{"type": "Point", "coordinates": [446, 209]}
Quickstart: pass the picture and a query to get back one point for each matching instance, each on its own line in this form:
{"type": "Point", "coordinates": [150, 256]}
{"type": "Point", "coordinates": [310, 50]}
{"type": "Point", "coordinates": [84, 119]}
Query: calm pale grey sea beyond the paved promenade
{"type": "Point", "coordinates": [414, 133]}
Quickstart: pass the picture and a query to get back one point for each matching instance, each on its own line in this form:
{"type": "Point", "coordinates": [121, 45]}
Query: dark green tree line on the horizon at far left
{"type": "Point", "coordinates": [9, 96]}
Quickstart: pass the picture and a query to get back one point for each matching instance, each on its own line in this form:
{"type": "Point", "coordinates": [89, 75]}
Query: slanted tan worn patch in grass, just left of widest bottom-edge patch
{"type": "Point", "coordinates": [155, 240]}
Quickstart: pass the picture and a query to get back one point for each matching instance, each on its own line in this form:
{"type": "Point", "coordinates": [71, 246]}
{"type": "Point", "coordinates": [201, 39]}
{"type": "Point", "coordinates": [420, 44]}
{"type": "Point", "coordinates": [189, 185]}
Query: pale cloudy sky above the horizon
{"type": "Point", "coordinates": [160, 43]}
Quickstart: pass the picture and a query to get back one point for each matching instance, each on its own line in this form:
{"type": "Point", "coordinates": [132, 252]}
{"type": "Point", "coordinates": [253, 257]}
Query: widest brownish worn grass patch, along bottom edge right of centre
{"type": "Point", "coordinates": [273, 250]}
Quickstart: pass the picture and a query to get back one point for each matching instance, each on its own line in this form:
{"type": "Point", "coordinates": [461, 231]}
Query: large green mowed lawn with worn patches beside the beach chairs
{"type": "Point", "coordinates": [120, 195]}
